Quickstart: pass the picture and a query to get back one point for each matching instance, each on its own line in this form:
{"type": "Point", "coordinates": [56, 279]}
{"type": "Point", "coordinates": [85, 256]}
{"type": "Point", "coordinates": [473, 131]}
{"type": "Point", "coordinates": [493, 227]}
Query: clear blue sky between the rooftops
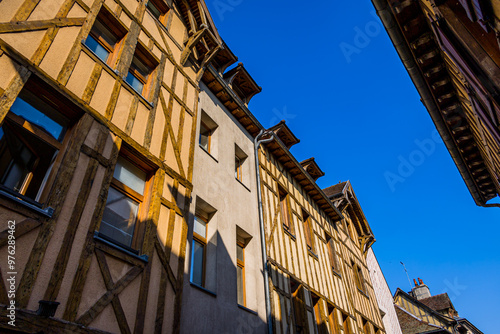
{"type": "Point", "coordinates": [350, 101]}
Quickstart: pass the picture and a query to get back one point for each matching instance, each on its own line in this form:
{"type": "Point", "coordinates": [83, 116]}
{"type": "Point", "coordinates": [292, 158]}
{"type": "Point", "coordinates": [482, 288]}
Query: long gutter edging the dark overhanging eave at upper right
{"type": "Point", "coordinates": [389, 22]}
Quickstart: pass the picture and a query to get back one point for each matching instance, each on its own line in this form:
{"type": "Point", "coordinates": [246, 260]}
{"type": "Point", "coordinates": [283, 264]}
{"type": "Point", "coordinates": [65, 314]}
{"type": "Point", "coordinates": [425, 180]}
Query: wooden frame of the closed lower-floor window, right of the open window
{"type": "Point", "coordinates": [143, 200]}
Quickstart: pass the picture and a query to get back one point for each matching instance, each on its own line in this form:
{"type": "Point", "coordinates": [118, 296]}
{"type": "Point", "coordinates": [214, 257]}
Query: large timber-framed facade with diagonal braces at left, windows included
{"type": "Point", "coordinates": [108, 90]}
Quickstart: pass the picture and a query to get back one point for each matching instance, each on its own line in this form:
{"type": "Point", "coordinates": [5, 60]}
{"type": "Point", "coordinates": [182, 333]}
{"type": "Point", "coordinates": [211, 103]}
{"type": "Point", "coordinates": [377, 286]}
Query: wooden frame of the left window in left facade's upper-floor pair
{"type": "Point", "coordinates": [109, 22]}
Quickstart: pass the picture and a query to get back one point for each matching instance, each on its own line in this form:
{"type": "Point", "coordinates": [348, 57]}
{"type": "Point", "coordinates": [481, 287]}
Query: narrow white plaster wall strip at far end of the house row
{"type": "Point", "coordinates": [383, 294]}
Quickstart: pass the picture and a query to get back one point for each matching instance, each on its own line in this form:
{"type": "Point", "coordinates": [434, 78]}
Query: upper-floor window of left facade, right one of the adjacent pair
{"type": "Point", "coordinates": [140, 70]}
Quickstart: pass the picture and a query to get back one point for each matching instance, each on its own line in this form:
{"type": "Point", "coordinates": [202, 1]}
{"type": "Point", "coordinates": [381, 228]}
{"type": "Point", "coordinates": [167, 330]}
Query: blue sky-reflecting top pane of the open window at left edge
{"type": "Point", "coordinates": [27, 111]}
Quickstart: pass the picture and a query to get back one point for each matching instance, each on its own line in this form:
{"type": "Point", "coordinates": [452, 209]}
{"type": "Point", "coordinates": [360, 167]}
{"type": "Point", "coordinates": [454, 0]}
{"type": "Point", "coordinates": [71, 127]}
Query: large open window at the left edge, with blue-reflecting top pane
{"type": "Point", "coordinates": [31, 137]}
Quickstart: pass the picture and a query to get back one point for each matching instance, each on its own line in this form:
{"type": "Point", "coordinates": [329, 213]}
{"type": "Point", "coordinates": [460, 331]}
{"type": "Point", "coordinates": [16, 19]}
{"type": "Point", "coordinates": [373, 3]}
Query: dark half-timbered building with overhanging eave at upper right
{"type": "Point", "coordinates": [451, 50]}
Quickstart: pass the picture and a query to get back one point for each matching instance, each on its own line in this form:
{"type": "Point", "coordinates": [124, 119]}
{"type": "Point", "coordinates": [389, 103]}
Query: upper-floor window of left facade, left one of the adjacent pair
{"type": "Point", "coordinates": [105, 37]}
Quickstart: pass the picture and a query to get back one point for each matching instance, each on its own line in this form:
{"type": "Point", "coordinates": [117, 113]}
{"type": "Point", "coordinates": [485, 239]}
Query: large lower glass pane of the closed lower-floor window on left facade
{"type": "Point", "coordinates": [120, 215]}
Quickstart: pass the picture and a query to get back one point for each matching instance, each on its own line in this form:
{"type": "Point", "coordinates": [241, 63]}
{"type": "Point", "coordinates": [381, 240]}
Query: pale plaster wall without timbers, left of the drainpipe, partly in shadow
{"type": "Point", "coordinates": [236, 204]}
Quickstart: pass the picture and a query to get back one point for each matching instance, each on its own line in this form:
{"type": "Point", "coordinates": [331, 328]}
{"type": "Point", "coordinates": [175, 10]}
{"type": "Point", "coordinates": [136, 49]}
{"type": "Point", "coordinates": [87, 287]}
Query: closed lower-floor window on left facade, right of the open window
{"type": "Point", "coordinates": [125, 205]}
